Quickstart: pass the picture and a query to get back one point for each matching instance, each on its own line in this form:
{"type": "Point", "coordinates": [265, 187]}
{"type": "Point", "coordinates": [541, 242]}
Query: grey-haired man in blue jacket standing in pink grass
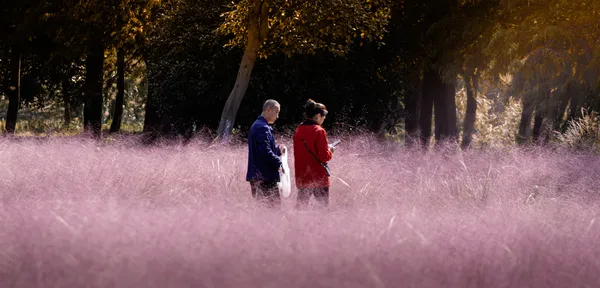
{"type": "Point", "coordinates": [264, 163]}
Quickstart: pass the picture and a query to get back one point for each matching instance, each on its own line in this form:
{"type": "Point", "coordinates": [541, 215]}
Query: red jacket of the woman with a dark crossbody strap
{"type": "Point", "coordinates": [309, 172]}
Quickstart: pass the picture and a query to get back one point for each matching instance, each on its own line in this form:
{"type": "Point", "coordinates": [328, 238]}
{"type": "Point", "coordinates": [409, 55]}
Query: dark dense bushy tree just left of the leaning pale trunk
{"type": "Point", "coordinates": [184, 57]}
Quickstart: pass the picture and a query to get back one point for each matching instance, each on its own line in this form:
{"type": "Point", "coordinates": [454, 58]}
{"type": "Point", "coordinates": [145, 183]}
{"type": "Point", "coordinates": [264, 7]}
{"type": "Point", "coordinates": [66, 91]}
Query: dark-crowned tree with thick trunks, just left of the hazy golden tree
{"type": "Point", "coordinates": [445, 34]}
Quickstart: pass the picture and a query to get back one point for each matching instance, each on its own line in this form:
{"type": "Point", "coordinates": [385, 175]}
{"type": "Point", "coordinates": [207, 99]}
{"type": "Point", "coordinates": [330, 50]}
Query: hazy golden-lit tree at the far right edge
{"type": "Point", "coordinates": [552, 48]}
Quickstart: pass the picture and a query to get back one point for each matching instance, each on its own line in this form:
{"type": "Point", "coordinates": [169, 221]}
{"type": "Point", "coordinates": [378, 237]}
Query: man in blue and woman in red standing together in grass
{"type": "Point", "coordinates": [311, 154]}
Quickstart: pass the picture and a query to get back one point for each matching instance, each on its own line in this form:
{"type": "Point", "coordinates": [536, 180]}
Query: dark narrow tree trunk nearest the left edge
{"type": "Point", "coordinates": [14, 96]}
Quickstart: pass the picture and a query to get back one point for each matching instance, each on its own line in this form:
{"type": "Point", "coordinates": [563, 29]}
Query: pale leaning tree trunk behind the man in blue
{"type": "Point", "coordinates": [257, 20]}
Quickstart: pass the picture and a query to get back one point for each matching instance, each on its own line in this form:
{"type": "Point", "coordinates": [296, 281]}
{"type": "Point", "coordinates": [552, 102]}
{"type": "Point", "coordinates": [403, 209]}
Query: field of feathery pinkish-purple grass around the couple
{"type": "Point", "coordinates": [75, 214]}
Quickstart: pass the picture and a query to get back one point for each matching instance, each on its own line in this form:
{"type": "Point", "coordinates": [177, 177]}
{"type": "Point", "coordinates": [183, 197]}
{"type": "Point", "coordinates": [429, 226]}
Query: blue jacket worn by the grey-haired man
{"type": "Point", "coordinates": [263, 154]}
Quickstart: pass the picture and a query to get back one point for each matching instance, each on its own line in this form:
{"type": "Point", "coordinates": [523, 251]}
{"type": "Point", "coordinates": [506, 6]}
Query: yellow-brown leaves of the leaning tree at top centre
{"type": "Point", "coordinates": [305, 27]}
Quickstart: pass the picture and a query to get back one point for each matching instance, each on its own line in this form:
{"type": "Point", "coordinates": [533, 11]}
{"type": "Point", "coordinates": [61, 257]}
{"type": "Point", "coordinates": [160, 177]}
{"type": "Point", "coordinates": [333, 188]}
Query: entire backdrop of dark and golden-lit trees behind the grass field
{"type": "Point", "coordinates": [390, 66]}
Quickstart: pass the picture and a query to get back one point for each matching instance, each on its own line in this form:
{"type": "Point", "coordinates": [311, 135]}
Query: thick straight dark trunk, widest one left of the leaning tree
{"type": "Point", "coordinates": [92, 113]}
